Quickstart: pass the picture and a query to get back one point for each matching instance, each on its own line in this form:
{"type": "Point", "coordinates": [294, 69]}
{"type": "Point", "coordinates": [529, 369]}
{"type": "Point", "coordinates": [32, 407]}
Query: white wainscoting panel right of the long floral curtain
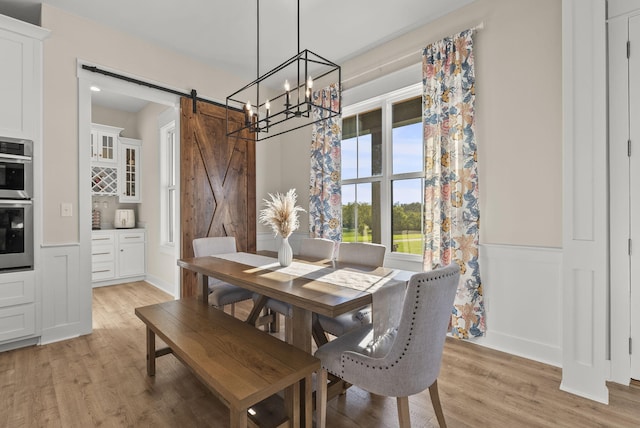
{"type": "Point", "coordinates": [523, 301]}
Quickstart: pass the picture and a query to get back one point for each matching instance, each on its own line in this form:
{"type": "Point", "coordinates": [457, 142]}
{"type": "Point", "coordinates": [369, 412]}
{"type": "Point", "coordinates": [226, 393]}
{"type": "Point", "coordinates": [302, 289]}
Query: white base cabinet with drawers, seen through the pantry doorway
{"type": "Point", "coordinates": [117, 255]}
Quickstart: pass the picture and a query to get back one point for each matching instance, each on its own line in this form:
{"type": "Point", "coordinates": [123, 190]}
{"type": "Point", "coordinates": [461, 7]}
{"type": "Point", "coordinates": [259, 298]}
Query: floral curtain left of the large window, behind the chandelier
{"type": "Point", "coordinates": [325, 201]}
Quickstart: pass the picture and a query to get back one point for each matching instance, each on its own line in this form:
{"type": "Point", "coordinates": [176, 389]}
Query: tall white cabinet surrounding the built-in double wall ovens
{"type": "Point", "coordinates": [21, 302]}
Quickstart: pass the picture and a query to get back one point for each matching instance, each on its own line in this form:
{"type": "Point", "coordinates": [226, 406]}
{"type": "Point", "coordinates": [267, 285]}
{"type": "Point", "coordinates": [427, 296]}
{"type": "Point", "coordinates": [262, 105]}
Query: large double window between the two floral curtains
{"type": "Point", "coordinates": [382, 171]}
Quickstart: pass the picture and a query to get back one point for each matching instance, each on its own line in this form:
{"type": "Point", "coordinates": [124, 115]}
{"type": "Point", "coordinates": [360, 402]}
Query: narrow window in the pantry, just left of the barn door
{"type": "Point", "coordinates": [168, 191]}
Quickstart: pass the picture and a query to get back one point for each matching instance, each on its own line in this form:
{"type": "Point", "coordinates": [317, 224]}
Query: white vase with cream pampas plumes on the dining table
{"type": "Point", "coordinates": [281, 213]}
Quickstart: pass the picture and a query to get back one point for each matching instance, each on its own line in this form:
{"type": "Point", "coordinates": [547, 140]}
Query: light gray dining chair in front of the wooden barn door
{"type": "Point", "coordinates": [220, 293]}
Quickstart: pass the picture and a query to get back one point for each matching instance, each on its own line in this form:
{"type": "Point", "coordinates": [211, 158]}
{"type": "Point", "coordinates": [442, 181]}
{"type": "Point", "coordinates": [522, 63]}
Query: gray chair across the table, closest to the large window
{"type": "Point", "coordinates": [354, 253]}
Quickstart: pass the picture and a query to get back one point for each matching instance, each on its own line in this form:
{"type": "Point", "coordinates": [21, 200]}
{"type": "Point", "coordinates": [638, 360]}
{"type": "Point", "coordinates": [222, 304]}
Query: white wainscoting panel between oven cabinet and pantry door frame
{"type": "Point", "coordinates": [66, 302]}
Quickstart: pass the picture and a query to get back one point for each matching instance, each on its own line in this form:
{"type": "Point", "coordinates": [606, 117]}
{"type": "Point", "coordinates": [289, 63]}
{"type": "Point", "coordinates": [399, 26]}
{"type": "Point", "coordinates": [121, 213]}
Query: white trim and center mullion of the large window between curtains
{"type": "Point", "coordinates": [385, 102]}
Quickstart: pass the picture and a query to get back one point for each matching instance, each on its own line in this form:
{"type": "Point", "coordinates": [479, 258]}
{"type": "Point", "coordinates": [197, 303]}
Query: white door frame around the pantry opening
{"type": "Point", "coordinates": [86, 79]}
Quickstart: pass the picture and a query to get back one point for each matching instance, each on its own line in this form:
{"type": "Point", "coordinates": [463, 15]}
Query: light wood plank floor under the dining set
{"type": "Point", "coordinates": [100, 380]}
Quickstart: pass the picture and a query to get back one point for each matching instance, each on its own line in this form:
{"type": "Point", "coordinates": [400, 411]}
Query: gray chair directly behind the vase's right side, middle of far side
{"type": "Point", "coordinates": [311, 248]}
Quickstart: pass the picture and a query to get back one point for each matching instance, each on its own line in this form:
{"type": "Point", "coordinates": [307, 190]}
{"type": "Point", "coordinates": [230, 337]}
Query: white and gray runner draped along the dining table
{"type": "Point", "coordinates": [387, 293]}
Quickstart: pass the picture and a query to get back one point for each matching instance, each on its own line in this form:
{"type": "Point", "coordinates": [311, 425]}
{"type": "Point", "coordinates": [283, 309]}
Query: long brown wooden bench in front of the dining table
{"type": "Point", "coordinates": [240, 364]}
